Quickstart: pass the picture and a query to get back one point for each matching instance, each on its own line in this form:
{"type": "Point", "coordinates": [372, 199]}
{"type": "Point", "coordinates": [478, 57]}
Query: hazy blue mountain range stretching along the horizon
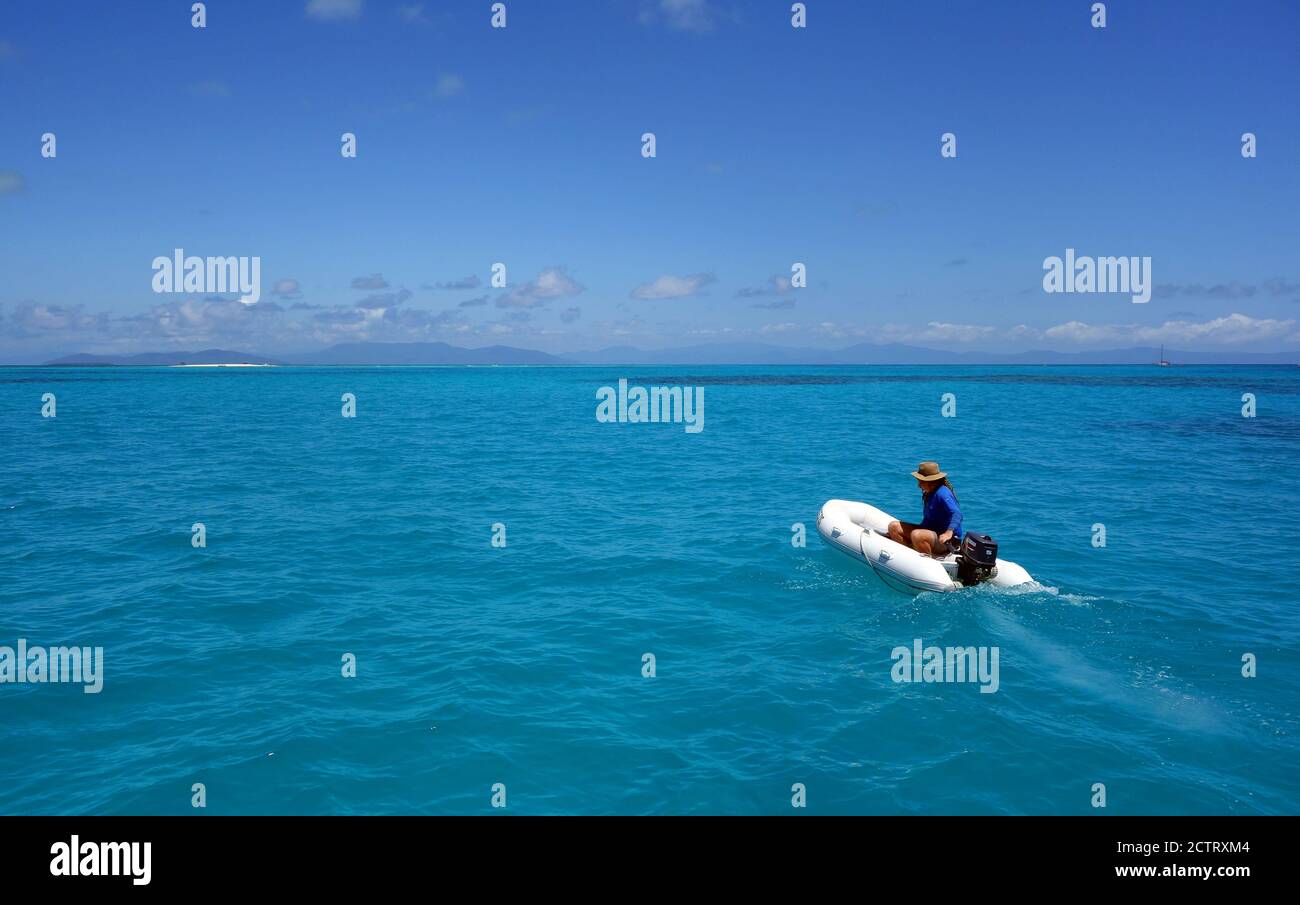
{"type": "Point", "coordinates": [444, 354]}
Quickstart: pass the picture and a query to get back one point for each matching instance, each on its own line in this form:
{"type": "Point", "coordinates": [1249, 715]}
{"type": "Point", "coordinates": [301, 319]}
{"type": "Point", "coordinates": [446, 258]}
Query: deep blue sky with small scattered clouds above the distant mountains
{"type": "Point", "coordinates": [523, 146]}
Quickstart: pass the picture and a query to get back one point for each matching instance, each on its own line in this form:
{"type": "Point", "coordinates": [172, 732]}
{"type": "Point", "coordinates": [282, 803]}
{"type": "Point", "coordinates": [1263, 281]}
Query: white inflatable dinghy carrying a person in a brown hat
{"type": "Point", "coordinates": [863, 532]}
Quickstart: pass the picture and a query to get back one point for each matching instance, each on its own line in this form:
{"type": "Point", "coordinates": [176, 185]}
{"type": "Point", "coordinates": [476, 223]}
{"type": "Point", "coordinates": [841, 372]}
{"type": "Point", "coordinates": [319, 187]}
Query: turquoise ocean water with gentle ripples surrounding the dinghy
{"type": "Point", "coordinates": [522, 665]}
